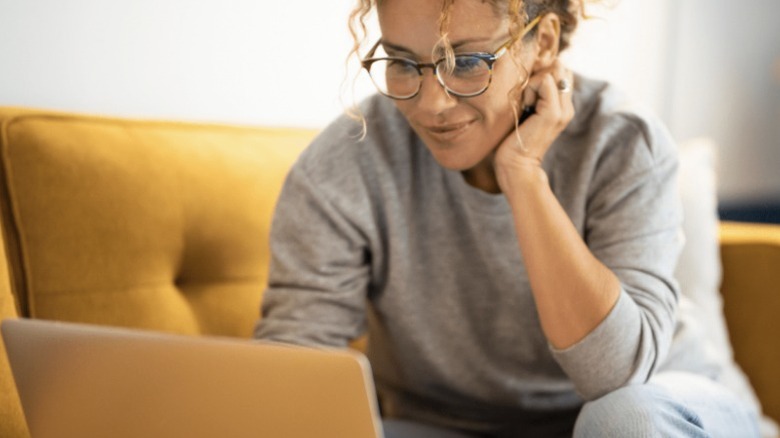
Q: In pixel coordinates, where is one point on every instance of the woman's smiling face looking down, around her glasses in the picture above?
(460, 132)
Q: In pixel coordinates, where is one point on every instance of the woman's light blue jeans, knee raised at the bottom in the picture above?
(672, 404)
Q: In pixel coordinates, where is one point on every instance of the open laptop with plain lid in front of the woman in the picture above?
(87, 381)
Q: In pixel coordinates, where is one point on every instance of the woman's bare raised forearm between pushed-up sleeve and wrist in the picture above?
(573, 290)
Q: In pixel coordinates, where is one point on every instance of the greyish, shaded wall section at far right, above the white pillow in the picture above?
(727, 86)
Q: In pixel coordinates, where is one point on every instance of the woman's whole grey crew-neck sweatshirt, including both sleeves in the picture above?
(375, 235)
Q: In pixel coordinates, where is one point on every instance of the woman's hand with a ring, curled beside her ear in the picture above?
(549, 91)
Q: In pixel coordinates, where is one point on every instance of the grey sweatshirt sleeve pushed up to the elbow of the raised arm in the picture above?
(632, 225)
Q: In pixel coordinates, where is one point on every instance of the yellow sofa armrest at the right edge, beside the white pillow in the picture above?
(750, 254)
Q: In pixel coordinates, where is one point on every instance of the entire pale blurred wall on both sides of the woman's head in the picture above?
(703, 65)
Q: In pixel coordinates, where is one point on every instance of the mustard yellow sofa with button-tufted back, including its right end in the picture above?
(163, 226)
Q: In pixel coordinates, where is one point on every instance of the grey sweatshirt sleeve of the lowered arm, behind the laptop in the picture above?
(318, 272)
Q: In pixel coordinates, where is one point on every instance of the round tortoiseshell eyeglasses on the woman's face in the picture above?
(468, 75)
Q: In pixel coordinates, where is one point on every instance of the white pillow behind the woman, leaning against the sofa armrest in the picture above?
(699, 269)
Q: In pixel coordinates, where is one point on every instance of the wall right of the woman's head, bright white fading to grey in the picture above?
(708, 68)
